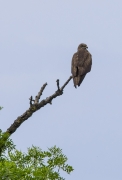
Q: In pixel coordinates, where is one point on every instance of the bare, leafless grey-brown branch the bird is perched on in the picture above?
(36, 105)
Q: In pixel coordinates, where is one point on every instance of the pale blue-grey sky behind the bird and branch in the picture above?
(37, 41)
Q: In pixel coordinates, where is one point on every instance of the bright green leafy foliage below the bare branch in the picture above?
(33, 165)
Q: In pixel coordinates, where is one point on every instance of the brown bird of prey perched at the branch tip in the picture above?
(81, 64)
